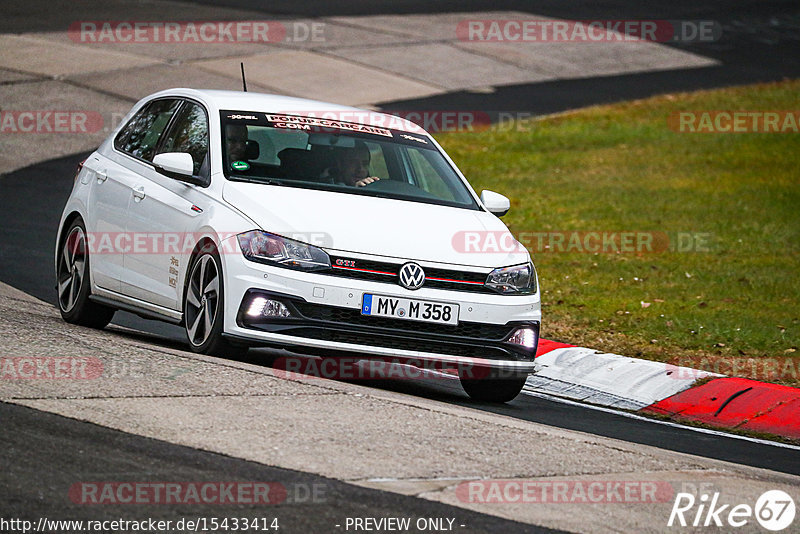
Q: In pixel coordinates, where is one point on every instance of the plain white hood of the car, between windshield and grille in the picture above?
(378, 226)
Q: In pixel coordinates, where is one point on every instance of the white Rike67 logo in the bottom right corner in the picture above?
(774, 510)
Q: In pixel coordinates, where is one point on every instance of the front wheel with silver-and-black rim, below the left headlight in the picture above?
(204, 305)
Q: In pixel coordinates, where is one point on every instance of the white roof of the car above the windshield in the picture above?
(267, 103)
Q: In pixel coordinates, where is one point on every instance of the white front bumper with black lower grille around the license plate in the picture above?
(326, 319)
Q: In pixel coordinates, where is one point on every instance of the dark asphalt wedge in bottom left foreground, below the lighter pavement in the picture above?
(107, 454)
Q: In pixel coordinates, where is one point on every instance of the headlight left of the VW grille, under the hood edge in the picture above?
(273, 249)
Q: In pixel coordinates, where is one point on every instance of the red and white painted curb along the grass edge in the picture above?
(615, 381)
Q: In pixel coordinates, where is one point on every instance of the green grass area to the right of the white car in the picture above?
(621, 168)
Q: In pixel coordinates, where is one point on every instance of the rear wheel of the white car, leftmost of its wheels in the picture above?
(73, 284)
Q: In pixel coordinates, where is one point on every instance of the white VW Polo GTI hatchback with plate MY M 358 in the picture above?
(263, 220)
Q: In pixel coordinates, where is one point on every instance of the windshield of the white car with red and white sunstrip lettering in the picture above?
(346, 157)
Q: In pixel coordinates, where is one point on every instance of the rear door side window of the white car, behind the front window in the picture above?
(140, 136)
